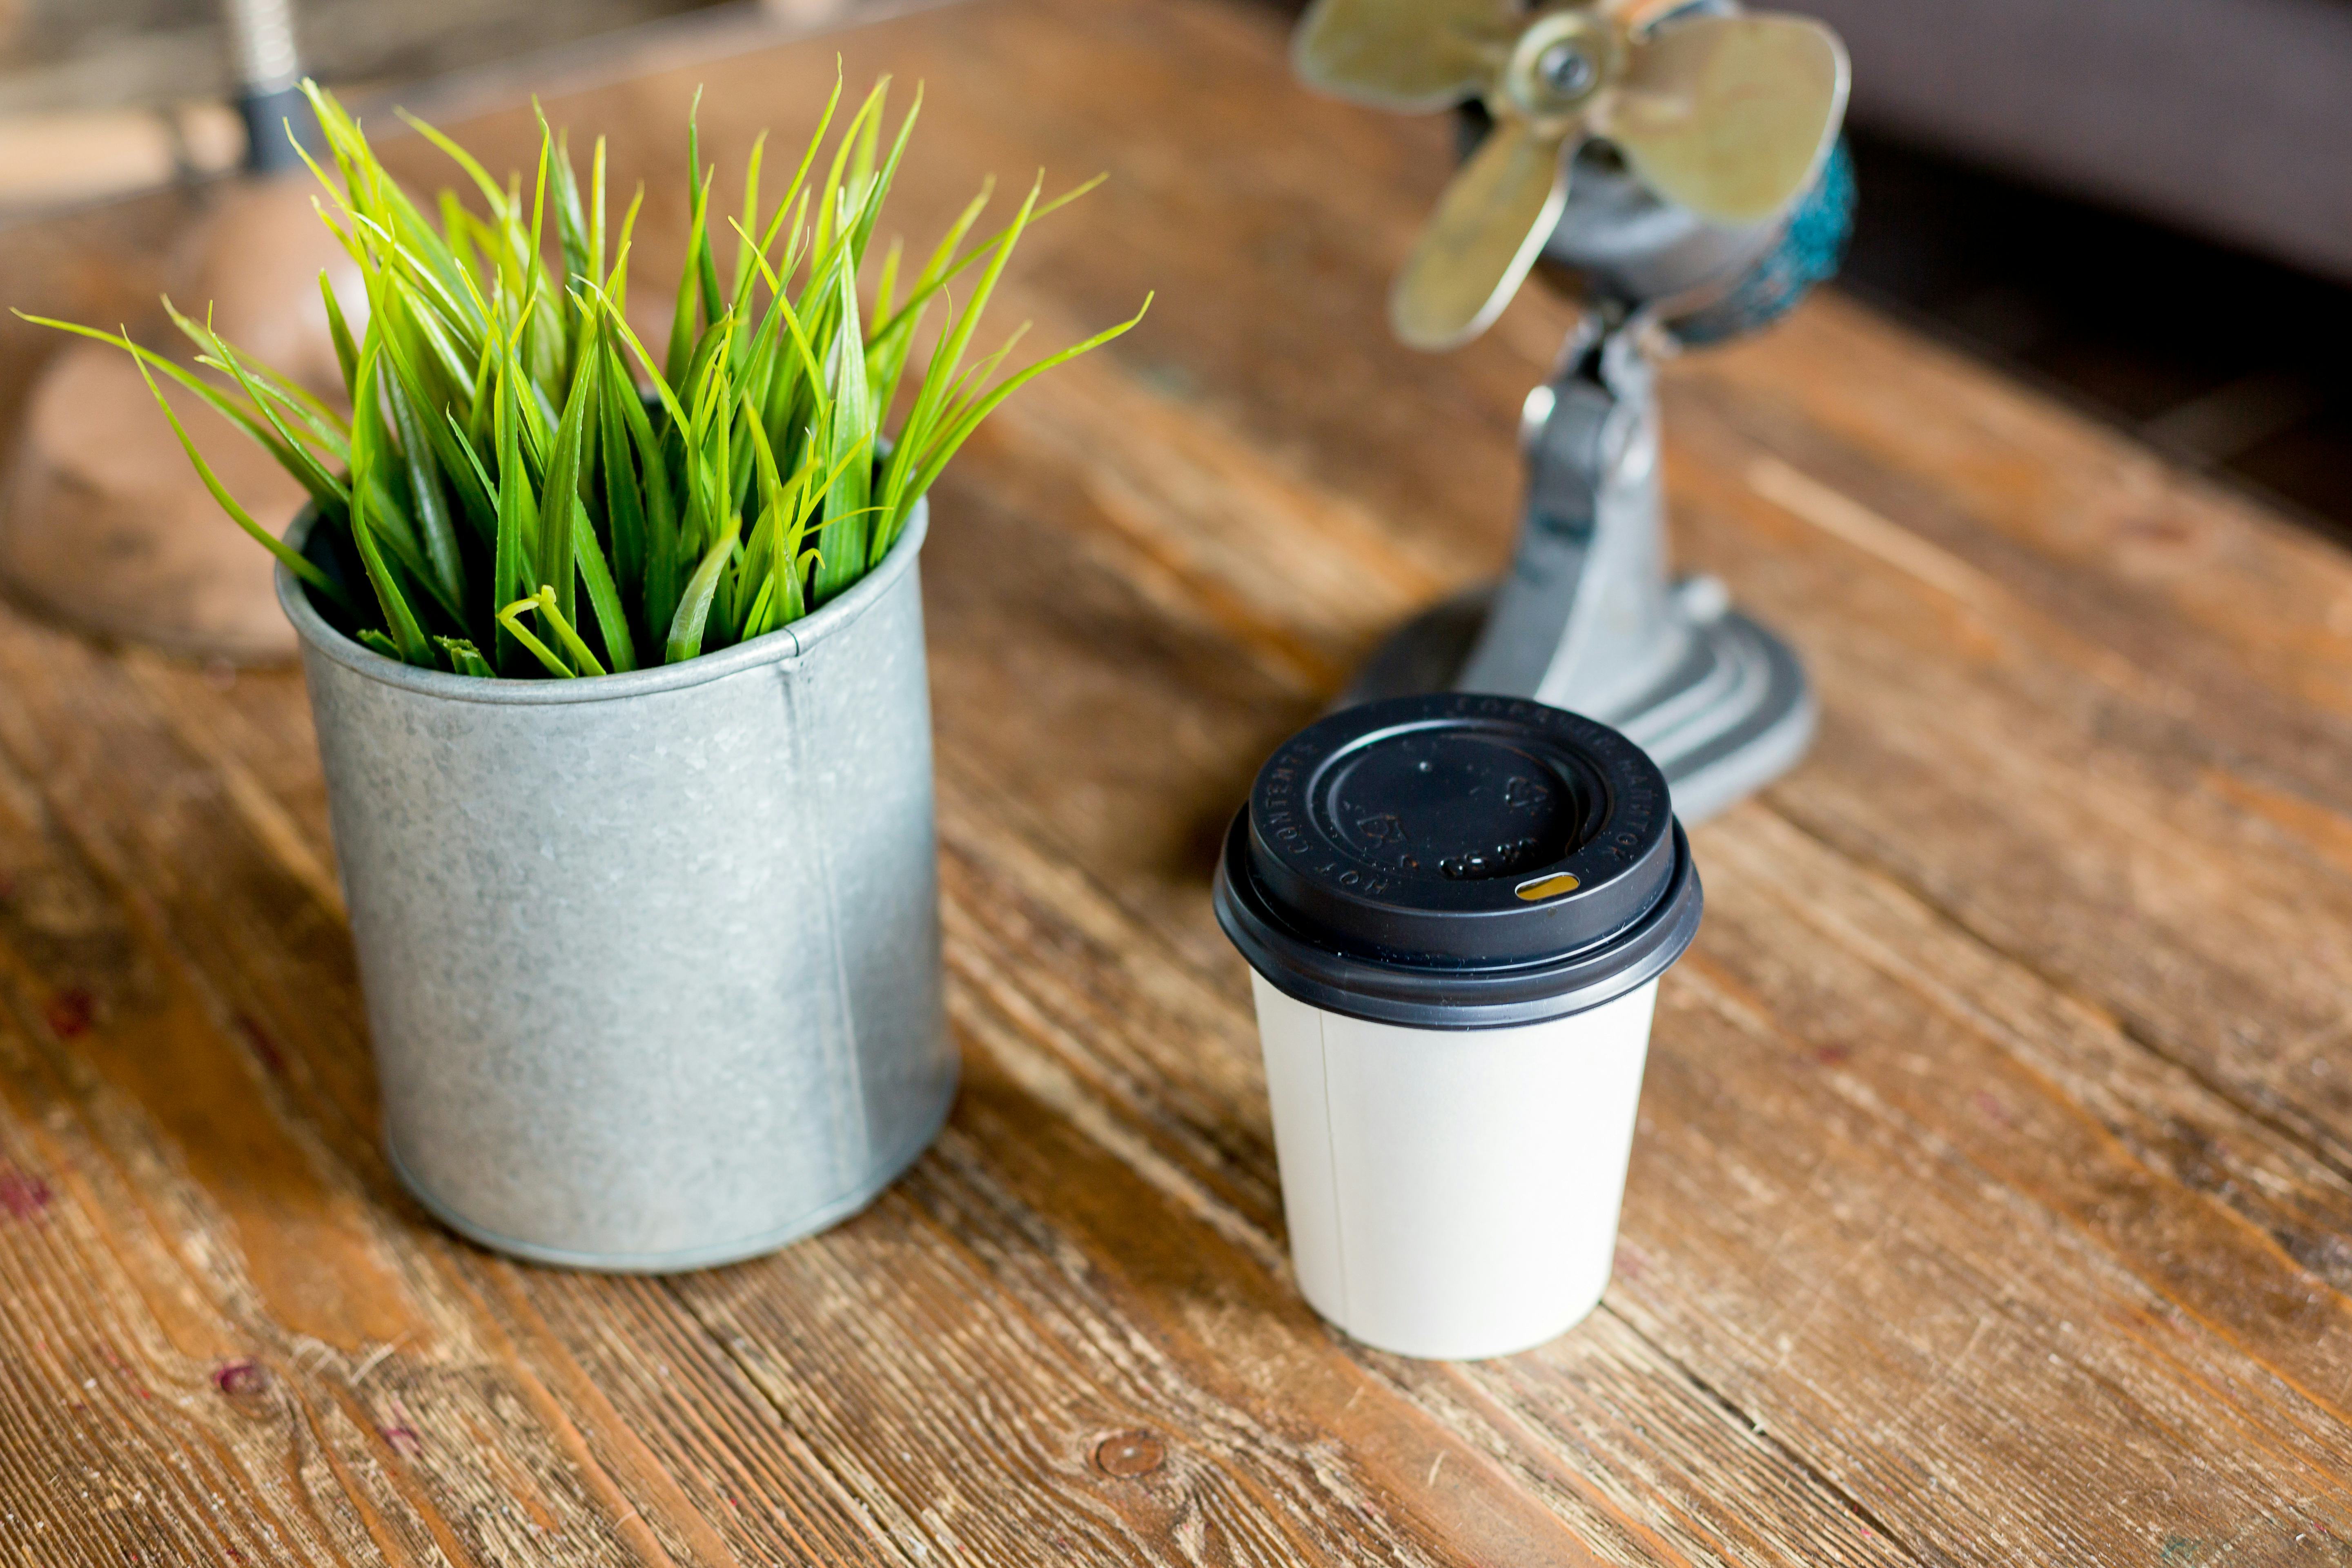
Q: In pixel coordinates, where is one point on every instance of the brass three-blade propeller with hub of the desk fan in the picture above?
(1723, 114)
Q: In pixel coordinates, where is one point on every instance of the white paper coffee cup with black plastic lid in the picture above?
(1457, 911)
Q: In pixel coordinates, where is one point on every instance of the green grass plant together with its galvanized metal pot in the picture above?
(620, 685)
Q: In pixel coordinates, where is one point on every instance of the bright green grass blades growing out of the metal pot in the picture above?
(521, 488)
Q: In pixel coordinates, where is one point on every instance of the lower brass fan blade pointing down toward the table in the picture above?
(1485, 234)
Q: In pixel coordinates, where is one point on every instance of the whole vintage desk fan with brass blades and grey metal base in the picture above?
(1681, 166)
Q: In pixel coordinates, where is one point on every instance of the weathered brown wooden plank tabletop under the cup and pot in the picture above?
(1993, 1191)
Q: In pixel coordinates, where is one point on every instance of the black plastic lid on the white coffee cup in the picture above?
(1459, 862)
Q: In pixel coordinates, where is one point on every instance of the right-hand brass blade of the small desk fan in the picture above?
(1730, 116)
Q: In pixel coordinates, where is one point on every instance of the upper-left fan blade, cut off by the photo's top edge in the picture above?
(1405, 55)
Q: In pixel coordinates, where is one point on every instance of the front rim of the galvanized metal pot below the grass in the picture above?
(784, 643)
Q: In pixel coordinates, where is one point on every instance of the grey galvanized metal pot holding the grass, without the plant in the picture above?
(650, 960)
